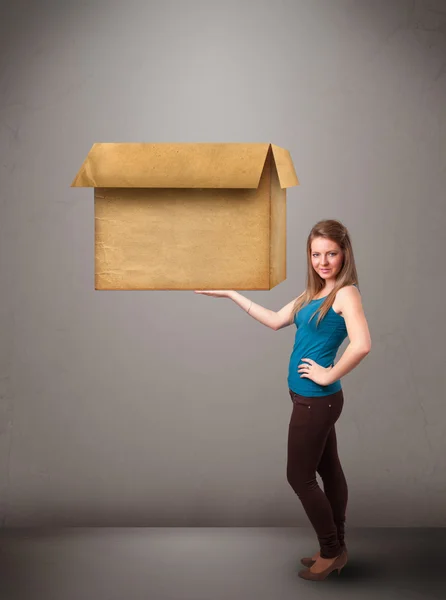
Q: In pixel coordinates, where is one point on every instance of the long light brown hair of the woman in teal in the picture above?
(336, 232)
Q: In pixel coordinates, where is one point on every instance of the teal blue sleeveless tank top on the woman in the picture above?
(320, 344)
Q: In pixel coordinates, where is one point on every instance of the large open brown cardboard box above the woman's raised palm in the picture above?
(188, 216)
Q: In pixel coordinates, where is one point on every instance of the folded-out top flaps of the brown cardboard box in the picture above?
(181, 165)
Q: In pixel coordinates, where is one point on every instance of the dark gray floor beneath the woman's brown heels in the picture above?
(215, 563)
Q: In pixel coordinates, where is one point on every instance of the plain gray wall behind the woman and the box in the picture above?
(170, 408)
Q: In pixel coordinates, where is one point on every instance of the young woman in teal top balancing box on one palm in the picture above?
(328, 311)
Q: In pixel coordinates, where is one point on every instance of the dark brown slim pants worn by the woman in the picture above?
(312, 447)
